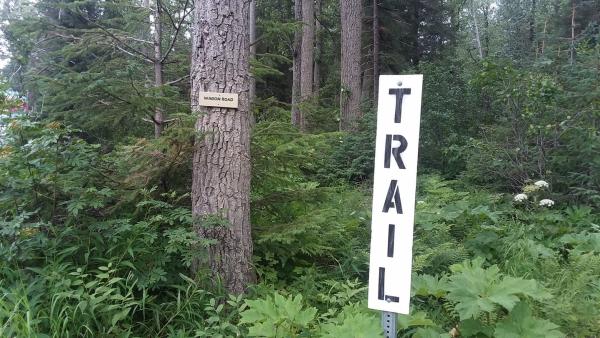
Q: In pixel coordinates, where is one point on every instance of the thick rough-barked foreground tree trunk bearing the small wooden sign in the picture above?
(221, 165)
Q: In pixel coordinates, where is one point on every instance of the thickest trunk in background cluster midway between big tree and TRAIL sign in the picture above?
(307, 56)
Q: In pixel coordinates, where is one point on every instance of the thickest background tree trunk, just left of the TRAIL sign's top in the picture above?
(351, 15)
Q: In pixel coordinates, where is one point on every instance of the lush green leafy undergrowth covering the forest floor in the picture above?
(91, 249)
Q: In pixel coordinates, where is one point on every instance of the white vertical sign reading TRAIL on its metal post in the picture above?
(395, 180)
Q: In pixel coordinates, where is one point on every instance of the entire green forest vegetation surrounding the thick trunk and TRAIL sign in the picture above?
(96, 230)
